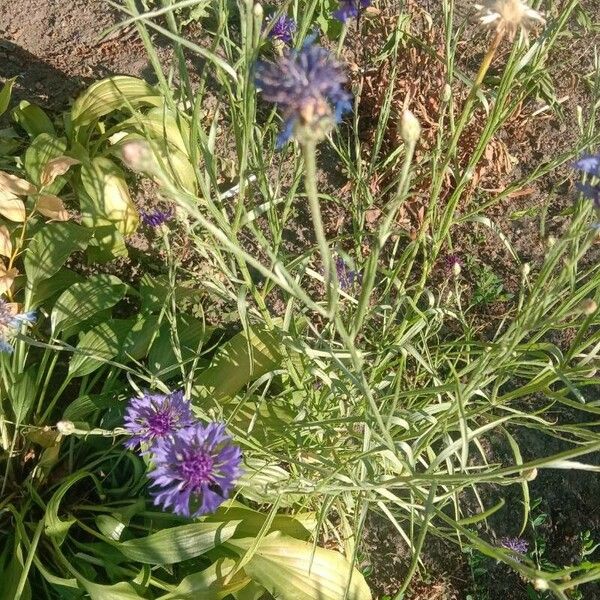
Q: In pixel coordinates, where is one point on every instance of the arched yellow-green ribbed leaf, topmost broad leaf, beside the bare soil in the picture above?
(110, 94)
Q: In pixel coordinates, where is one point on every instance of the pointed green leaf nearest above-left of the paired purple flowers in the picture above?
(97, 346)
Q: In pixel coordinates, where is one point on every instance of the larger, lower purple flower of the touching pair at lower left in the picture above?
(195, 470)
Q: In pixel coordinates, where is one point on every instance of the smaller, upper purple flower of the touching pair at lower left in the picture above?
(156, 416)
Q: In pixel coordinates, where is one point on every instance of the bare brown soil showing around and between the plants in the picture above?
(55, 50)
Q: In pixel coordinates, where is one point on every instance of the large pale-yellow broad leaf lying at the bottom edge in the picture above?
(295, 570)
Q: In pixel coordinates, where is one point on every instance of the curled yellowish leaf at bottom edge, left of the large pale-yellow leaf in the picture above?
(210, 584)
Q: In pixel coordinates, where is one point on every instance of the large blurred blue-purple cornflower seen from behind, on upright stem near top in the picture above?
(308, 86)
